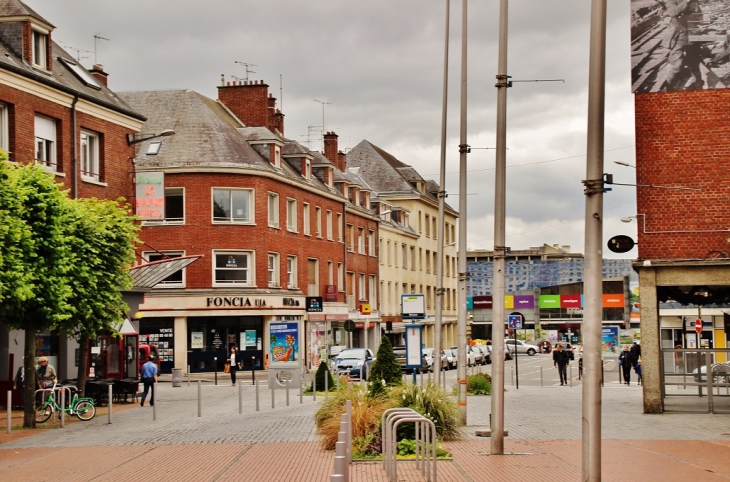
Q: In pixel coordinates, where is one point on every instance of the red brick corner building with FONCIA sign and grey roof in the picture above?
(275, 223)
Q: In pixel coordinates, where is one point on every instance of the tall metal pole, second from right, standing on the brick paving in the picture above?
(497, 425)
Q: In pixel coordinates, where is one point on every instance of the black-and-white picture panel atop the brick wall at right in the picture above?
(679, 45)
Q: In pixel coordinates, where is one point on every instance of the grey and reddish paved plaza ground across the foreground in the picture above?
(544, 425)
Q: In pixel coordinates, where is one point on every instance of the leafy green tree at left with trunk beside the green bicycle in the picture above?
(62, 262)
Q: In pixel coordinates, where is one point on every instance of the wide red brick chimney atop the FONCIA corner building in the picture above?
(249, 101)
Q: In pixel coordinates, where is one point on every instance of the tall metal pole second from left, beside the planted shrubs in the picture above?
(463, 150)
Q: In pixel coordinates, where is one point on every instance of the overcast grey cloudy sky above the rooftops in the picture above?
(379, 66)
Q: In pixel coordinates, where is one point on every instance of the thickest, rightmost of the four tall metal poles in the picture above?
(593, 286)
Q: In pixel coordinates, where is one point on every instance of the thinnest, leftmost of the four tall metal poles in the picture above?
(442, 201)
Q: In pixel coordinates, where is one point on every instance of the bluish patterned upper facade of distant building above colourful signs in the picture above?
(523, 275)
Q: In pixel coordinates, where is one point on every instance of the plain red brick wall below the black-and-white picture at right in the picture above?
(682, 141)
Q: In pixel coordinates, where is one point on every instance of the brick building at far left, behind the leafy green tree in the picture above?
(55, 112)
